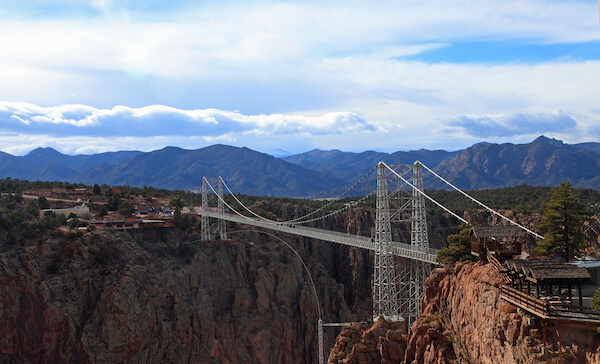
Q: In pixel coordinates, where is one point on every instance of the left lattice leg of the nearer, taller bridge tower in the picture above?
(385, 297)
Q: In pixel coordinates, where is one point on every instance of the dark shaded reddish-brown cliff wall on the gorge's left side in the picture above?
(141, 299)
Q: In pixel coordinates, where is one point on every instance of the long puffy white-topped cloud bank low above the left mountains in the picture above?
(162, 121)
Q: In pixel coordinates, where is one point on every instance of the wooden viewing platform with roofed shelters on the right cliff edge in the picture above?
(542, 287)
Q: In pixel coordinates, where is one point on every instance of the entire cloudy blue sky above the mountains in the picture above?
(104, 75)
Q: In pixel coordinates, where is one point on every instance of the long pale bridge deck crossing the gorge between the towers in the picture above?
(398, 249)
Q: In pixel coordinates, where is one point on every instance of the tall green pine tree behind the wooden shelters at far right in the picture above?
(563, 224)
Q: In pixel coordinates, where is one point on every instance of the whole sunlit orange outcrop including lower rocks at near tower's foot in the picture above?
(464, 320)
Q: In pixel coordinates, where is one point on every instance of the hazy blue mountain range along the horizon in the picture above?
(543, 162)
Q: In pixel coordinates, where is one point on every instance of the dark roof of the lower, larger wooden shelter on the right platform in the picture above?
(544, 269)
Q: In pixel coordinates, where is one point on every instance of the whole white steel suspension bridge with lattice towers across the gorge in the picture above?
(398, 284)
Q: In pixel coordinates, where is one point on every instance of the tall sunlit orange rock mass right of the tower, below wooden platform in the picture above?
(486, 329)
